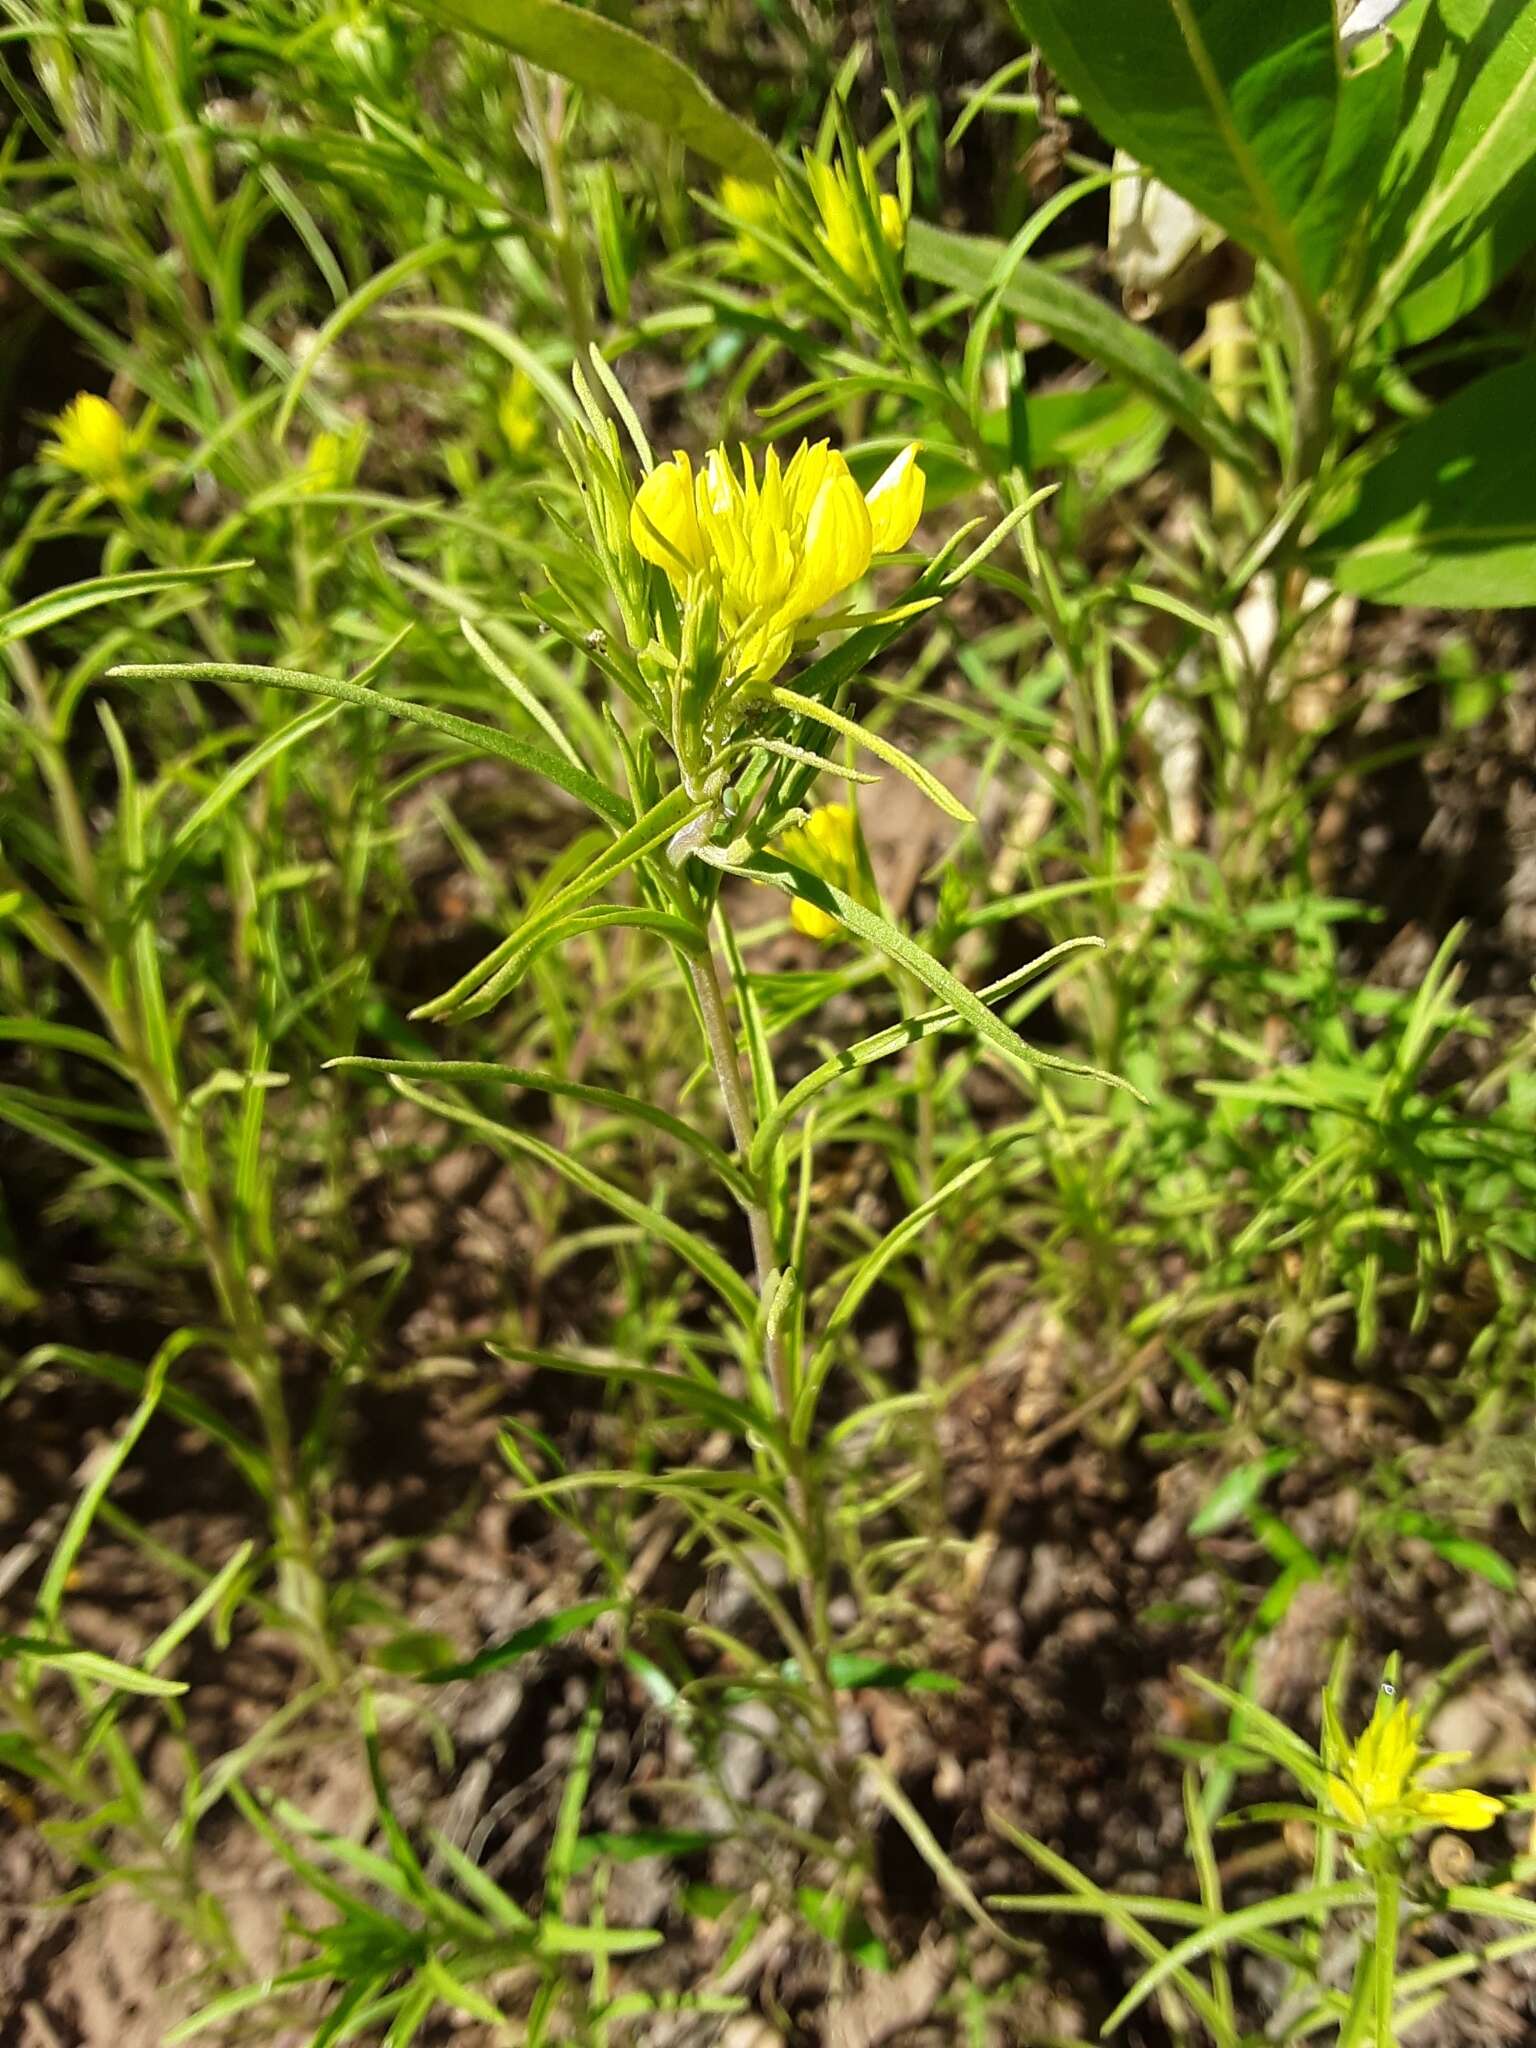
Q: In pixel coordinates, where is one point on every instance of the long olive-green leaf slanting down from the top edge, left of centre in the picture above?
(615, 65)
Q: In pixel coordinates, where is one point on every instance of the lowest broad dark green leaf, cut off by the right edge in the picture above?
(1449, 515)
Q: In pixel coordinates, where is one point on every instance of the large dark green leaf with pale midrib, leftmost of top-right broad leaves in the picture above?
(1228, 103)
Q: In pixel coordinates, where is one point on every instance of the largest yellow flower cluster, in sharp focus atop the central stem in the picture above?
(771, 550)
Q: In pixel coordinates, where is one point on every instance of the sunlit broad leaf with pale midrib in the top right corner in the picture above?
(1469, 136)
